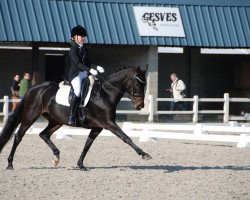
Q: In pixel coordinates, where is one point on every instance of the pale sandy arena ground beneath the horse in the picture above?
(178, 170)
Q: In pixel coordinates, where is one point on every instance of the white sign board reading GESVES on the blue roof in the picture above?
(159, 21)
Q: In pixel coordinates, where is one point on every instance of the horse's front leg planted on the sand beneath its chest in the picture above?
(92, 136)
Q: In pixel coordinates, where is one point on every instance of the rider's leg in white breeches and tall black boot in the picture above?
(76, 84)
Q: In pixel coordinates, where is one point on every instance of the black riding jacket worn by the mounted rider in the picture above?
(79, 60)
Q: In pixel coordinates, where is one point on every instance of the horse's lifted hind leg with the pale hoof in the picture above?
(46, 134)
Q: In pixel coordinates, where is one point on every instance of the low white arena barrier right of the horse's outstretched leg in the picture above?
(228, 133)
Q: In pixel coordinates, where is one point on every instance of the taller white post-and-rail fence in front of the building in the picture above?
(152, 111)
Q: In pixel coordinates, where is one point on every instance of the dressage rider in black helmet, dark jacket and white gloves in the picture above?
(80, 67)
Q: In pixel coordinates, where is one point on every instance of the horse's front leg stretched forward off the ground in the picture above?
(114, 128)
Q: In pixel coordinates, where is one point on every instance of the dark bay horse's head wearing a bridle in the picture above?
(136, 87)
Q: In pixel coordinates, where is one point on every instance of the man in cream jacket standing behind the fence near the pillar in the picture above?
(177, 90)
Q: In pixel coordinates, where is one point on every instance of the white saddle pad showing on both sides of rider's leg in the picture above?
(65, 92)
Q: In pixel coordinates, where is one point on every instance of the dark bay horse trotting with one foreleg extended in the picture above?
(100, 112)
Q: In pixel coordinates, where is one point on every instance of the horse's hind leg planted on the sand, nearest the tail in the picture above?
(25, 125)
